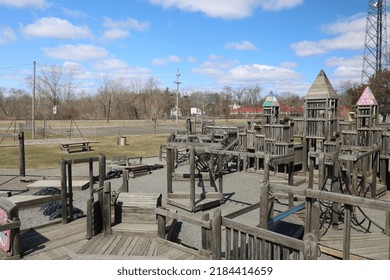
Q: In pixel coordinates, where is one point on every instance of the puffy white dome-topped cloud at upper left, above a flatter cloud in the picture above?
(51, 27)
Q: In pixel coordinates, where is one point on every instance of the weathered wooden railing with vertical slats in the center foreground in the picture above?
(241, 241)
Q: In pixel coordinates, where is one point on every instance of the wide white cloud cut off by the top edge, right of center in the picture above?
(232, 10)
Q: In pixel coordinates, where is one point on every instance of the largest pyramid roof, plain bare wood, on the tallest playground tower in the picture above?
(321, 88)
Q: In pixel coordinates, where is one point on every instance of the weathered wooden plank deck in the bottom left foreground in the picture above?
(68, 241)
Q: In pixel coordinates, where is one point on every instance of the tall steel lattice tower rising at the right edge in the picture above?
(375, 46)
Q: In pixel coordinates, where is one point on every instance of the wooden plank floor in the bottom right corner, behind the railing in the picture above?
(363, 245)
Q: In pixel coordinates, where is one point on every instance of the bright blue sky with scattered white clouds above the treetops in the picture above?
(280, 45)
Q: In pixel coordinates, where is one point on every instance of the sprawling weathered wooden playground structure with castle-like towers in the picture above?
(331, 173)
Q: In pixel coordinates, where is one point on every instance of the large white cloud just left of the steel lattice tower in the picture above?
(349, 35)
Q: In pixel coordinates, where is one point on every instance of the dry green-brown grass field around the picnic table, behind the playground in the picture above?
(48, 154)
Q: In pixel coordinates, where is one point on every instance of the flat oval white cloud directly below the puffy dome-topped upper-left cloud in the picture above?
(75, 52)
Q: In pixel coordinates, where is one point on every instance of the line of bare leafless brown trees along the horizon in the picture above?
(56, 87)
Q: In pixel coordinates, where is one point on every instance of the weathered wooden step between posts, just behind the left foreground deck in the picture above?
(135, 214)
